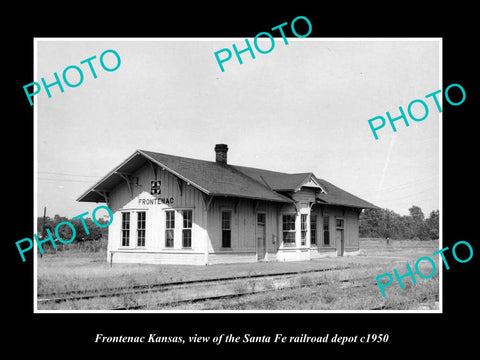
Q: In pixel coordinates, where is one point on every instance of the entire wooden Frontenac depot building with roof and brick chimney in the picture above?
(176, 210)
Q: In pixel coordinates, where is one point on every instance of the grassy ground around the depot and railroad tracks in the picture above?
(352, 289)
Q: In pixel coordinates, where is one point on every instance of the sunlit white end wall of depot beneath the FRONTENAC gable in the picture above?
(186, 198)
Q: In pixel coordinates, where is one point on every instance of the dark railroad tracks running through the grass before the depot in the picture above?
(160, 287)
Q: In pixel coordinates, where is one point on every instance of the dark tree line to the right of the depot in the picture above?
(385, 223)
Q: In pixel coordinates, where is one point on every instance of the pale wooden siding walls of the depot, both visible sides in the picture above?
(206, 225)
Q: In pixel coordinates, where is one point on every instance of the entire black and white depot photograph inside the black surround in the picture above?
(212, 175)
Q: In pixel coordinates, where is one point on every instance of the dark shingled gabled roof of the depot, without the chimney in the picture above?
(217, 179)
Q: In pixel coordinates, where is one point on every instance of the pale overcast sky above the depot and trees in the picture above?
(303, 107)
